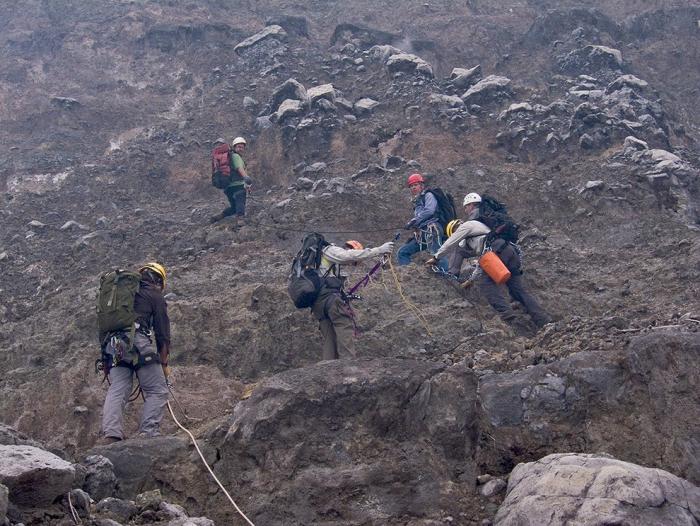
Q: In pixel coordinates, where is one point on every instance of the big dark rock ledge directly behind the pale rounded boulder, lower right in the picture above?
(638, 403)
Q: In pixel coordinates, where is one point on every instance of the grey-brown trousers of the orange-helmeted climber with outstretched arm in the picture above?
(337, 327)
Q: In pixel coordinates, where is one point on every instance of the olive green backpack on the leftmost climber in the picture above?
(115, 302)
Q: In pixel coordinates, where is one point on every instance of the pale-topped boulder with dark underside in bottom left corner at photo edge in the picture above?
(33, 476)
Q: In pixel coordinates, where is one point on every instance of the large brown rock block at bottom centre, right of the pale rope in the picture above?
(391, 437)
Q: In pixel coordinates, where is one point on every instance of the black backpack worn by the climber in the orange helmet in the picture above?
(304, 280)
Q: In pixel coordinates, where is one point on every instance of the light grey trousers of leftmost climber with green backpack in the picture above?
(155, 392)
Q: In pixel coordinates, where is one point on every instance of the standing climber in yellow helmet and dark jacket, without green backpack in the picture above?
(148, 362)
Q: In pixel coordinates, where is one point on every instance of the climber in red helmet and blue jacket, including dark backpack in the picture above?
(433, 210)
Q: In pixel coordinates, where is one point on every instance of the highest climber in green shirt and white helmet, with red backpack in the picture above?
(228, 173)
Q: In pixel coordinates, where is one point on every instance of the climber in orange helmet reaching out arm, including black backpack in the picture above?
(316, 282)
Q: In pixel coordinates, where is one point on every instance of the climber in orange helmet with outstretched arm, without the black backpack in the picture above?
(332, 307)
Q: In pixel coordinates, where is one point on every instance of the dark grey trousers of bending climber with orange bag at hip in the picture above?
(516, 289)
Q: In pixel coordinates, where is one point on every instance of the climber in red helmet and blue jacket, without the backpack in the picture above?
(425, 222)
